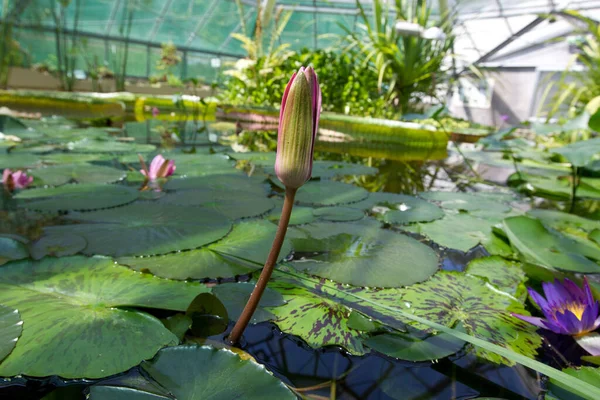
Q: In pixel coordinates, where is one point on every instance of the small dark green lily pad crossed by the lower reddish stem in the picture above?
(235, 296)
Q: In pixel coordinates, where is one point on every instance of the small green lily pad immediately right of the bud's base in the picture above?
(329, 193)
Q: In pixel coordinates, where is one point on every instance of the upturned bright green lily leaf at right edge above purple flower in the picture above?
(537, 245)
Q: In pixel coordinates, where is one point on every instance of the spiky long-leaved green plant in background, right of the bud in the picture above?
(409, 68)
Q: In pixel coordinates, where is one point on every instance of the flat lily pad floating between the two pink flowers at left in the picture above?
(80, 173)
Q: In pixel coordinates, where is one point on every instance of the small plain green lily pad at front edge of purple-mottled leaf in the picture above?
(411, 348)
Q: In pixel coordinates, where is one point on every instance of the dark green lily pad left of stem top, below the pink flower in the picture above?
(233, 204)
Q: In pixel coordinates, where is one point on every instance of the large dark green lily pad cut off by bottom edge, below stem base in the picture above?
(193, 373)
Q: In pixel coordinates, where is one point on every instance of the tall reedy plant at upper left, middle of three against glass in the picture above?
(66, 52)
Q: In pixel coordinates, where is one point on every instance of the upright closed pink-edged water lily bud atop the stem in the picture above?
(298, 124)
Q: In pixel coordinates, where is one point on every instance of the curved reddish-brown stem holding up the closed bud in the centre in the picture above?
(263, 279)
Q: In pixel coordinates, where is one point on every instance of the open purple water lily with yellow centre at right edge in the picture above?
(569, 309)
